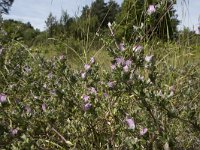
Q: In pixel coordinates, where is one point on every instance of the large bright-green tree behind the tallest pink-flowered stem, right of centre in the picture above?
(162, 23)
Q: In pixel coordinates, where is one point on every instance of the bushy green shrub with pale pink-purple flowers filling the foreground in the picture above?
(47, 105)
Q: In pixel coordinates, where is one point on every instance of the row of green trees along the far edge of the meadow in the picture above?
(93, 20)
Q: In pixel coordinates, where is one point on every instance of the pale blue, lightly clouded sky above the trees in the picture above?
(37, 11)
